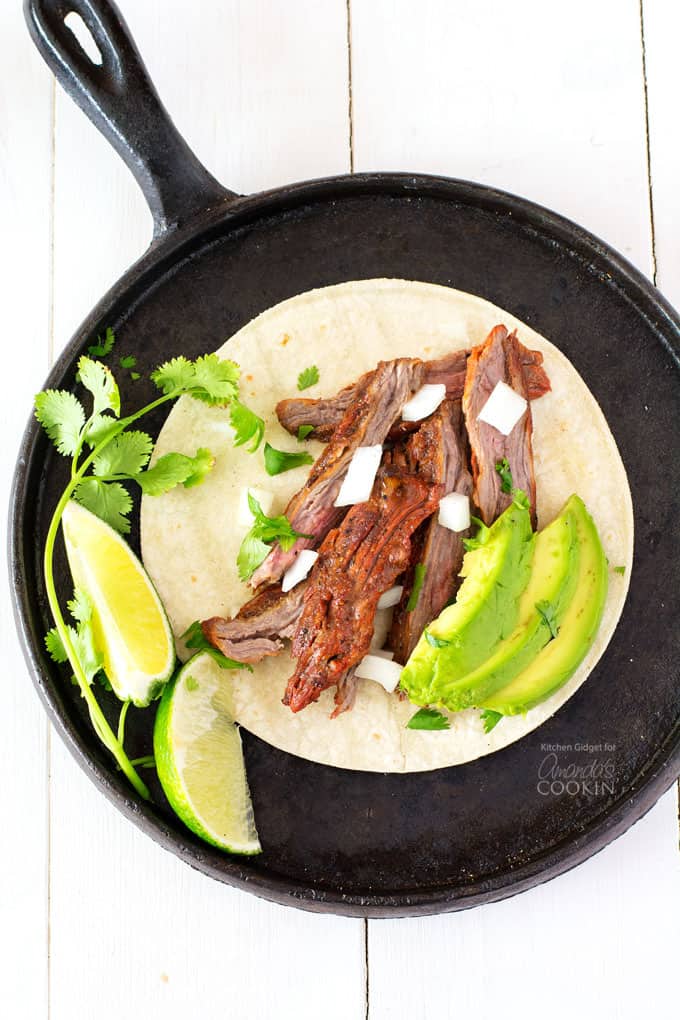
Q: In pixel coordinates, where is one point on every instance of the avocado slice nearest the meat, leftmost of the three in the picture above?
(486, 611)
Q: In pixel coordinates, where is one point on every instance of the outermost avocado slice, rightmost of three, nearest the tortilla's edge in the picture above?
(559, 660)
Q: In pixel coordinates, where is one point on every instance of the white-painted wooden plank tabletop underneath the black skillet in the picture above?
(574, 106)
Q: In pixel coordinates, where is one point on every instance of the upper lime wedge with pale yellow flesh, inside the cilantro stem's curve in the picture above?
(129, 621)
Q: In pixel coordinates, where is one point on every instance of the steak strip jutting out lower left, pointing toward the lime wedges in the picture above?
(259, 627)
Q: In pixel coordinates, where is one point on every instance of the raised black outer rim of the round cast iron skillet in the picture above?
(615, 271)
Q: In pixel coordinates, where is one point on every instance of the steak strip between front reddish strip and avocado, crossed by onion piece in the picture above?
(438, 453)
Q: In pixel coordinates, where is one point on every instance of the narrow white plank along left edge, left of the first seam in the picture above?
(26, 143)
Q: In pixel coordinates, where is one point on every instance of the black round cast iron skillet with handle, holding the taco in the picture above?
(338, 841)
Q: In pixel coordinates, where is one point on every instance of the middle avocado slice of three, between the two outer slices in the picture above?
(542, 608)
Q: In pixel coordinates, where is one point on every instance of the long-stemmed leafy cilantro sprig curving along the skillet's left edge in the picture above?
(107, 455)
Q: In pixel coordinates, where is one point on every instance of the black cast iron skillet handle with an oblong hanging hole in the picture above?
(122, 101)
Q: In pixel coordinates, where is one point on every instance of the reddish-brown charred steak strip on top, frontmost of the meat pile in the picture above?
(358, 562)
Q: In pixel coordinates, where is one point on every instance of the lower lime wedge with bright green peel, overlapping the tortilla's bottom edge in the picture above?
(200, 759)
